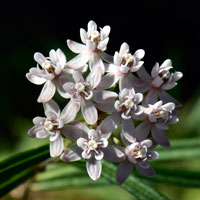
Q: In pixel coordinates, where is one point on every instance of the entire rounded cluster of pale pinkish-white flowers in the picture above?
(142, 96)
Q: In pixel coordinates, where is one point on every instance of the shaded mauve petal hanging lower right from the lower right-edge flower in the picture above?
(160, 137)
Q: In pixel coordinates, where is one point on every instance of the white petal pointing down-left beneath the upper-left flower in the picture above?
(47, 92)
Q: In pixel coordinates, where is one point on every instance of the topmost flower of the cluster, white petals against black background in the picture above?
(92, 50)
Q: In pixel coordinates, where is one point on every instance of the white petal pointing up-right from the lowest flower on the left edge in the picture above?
(69, 112)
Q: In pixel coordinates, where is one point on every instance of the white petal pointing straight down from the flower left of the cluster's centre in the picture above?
(89, 112)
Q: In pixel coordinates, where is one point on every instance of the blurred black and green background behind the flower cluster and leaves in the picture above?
(163, 29)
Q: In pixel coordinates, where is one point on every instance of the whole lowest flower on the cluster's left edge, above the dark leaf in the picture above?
(52, 125)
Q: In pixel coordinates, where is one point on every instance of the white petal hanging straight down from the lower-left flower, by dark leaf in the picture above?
(56, 147)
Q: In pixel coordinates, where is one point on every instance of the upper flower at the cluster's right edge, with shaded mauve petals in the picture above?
(160, 80)
